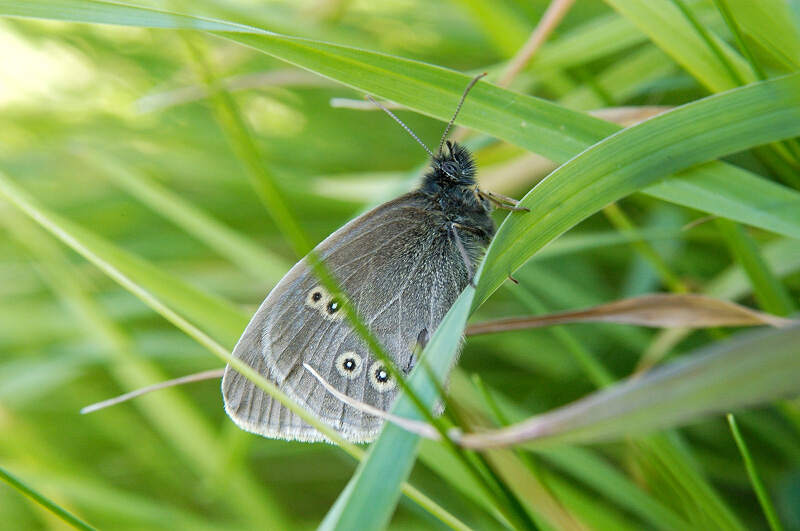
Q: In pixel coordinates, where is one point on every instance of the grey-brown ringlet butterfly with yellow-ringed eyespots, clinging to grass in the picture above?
(402, 265)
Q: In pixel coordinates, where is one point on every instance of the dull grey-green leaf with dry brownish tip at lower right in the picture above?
(749, 370)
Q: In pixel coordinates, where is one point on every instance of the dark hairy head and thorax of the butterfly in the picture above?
(451, 187)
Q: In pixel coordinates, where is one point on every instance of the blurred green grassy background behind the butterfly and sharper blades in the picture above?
(110, 128)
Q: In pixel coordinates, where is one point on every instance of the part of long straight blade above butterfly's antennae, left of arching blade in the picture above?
(555, 132)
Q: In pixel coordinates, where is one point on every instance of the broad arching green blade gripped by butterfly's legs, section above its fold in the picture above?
(637, 157)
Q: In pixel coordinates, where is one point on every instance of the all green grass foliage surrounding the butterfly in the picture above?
(179, 154)
